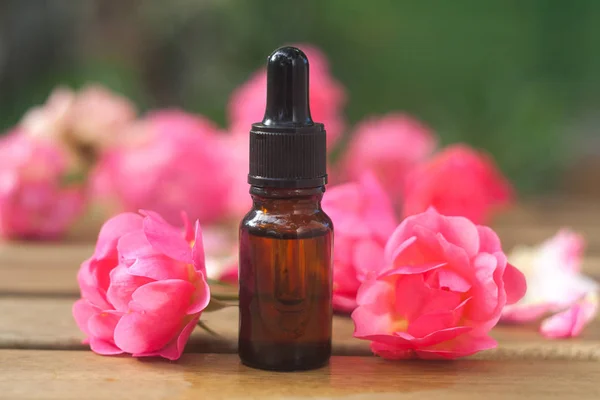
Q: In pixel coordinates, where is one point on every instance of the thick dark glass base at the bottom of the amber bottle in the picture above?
(284, 357)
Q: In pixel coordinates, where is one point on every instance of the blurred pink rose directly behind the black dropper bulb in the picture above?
(327, 98)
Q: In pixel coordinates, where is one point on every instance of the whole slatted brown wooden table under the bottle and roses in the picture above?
(41, 355)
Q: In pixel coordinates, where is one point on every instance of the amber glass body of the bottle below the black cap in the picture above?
(285, 280)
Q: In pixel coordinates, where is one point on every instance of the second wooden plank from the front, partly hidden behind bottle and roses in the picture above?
(34, 323)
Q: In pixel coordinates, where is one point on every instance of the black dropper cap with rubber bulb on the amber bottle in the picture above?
(287, 149)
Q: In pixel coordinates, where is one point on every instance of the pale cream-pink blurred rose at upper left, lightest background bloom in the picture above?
(93, 116)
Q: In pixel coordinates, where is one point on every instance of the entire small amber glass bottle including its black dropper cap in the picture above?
(286, 239)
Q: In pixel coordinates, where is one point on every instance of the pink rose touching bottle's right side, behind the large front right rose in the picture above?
(363, 218)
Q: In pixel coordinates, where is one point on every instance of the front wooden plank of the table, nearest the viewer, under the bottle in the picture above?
(63, 375)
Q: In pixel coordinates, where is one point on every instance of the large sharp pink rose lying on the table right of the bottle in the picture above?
(445, 284)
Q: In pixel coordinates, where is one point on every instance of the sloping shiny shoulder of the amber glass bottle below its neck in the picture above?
(315, 223)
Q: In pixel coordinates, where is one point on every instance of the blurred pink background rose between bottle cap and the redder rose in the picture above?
(389, 146)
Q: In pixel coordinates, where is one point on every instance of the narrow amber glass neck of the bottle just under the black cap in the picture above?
(287, 200)
